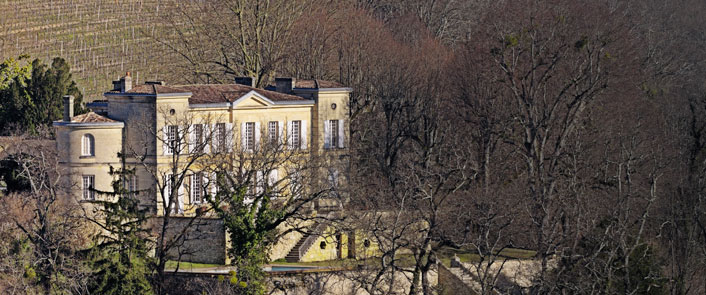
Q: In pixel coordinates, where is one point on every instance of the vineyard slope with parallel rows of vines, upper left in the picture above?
(101, 39)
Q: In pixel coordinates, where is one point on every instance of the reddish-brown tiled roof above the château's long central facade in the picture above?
(211, 93)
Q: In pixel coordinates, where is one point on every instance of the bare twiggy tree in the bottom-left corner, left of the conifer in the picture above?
(46, 219)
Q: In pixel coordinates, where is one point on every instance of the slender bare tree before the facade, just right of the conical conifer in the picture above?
(189, 152)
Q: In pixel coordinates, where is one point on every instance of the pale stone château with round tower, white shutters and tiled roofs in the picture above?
(152, 122)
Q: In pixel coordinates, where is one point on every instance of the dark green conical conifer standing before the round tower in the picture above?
(120, 258)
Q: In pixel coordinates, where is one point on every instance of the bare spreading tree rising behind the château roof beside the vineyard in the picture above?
(227, 38)
